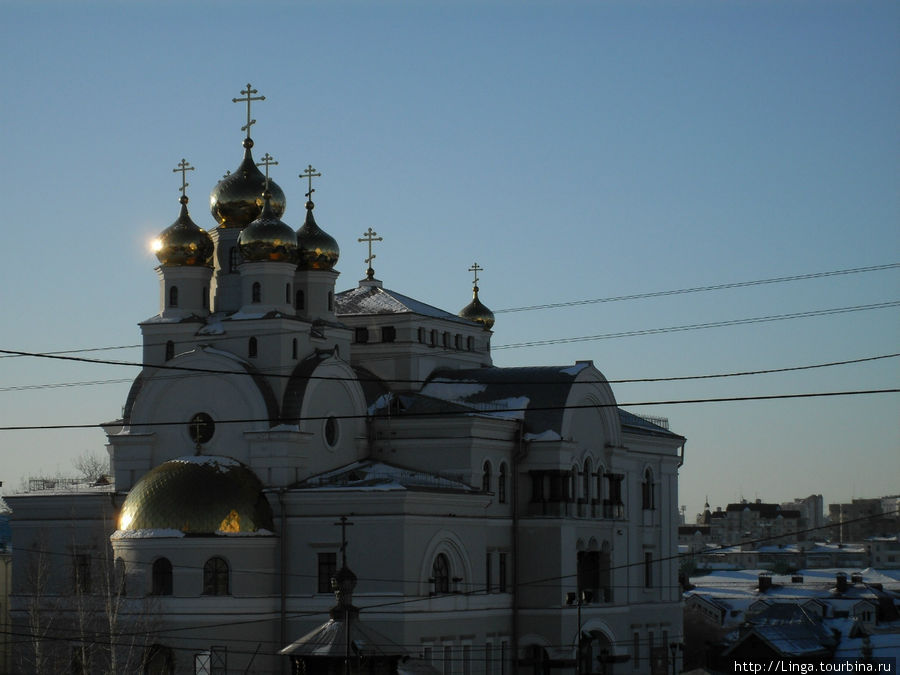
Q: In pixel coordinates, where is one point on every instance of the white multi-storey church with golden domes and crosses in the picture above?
(497, 520)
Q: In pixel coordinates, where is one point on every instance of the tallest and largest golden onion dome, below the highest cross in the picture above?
(235, 201)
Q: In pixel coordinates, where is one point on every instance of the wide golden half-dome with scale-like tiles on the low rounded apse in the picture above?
(197, 495)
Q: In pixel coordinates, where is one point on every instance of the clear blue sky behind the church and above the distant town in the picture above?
(576, 150)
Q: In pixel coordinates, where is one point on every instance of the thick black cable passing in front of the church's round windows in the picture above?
(475, 411)
